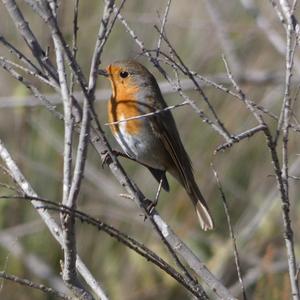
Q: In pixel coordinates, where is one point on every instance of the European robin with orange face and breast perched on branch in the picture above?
(152, 140)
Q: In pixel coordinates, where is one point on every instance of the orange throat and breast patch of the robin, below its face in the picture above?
(123, 105)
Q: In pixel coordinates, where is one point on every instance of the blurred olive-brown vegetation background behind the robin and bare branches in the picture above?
(251, 36)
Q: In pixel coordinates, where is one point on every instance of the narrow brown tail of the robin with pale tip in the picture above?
(201, 207)
